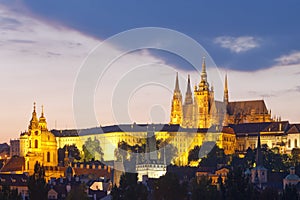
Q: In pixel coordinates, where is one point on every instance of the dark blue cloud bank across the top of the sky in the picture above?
(268, 24)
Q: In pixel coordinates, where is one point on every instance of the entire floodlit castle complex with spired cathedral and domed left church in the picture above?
(199, 119)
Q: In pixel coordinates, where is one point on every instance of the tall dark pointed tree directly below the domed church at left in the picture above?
(37, 184)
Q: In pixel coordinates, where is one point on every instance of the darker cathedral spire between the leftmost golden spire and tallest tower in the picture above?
(188, 106)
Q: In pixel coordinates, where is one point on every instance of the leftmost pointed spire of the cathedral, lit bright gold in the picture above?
(176, 109)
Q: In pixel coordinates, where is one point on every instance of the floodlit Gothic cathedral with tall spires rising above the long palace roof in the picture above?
(203, 111)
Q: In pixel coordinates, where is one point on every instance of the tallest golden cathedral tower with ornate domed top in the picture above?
(202, 101)
